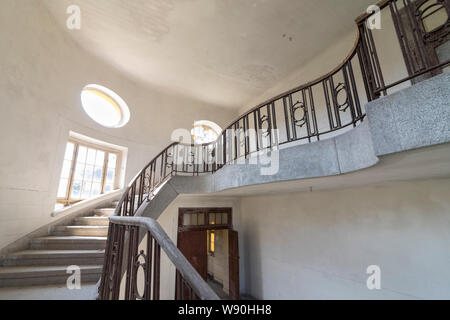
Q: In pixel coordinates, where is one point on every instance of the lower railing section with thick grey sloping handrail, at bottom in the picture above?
(135, 244)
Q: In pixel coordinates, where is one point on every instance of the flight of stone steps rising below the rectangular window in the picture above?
(45, 262)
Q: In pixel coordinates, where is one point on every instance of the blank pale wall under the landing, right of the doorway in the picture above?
(318, 245)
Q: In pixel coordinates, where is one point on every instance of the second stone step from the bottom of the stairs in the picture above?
(54, 257)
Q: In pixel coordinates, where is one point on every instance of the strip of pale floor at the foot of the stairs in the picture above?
(53, 292)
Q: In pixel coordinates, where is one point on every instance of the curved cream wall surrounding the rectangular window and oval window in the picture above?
(43, 72)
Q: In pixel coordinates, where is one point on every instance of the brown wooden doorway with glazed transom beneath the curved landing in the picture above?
(207, 239)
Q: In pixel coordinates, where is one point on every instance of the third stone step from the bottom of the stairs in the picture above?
(68, 243)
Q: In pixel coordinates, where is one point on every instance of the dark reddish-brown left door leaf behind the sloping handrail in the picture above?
(194, 247)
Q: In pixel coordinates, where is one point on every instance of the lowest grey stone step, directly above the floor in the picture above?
(44, 275)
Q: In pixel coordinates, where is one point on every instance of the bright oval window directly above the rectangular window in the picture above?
(104, 106)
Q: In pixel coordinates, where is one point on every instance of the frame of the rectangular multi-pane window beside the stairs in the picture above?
(67, 200)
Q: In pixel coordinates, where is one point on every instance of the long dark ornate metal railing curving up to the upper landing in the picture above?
(337, 97)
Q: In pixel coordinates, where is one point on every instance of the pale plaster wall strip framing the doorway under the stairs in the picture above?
(169, 222)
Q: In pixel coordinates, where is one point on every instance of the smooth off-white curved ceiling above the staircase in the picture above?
(223, 52)
